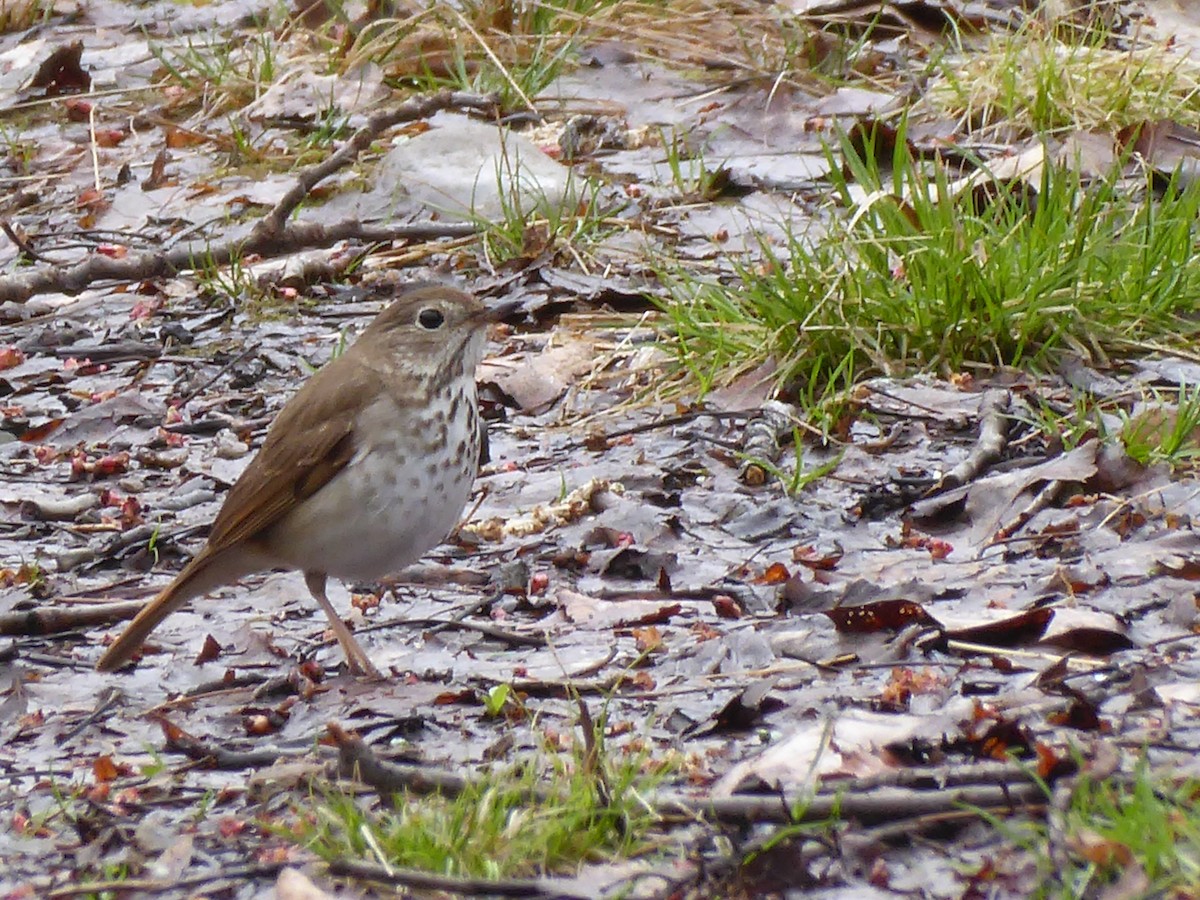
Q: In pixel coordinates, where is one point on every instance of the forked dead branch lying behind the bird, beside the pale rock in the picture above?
(273, 236)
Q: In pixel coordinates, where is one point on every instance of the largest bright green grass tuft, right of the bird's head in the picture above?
(923, 274)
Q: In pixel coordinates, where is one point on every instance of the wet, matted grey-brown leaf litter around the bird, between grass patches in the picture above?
(879, 627)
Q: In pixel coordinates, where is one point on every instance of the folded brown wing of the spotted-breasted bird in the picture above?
(310, 442)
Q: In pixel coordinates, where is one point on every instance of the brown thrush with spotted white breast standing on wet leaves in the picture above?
(367, 469)
